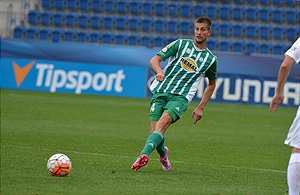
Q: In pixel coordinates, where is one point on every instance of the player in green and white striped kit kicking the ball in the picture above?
(175, 86)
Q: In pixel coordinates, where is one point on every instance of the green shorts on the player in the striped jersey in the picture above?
(175, 105)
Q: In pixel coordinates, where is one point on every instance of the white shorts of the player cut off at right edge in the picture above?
(293, 137)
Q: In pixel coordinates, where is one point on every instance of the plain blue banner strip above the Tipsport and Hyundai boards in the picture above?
(134, 56)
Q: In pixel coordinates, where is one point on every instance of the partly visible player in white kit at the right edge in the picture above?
(292, 56)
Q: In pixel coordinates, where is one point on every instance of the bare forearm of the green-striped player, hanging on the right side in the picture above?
(198, 112)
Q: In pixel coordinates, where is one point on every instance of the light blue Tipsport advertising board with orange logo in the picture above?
(71, 77)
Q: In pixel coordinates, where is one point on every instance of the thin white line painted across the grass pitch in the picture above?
(123, 156)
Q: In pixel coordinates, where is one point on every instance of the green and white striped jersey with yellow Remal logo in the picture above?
(186, 66)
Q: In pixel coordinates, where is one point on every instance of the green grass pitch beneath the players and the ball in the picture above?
(234, 149)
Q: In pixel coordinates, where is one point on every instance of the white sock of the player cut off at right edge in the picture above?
(293, 174)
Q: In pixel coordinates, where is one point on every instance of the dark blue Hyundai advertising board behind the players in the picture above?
(246, 88)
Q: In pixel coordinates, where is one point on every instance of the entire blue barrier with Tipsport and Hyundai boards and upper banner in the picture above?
(125, 71)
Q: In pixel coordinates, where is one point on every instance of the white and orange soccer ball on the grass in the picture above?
(59, 165)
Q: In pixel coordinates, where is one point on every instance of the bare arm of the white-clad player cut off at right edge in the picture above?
(283, 74)
